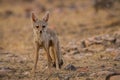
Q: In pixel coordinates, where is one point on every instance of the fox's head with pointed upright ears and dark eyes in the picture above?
(40, 25)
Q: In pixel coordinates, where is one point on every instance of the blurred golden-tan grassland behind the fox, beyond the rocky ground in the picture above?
(72, 20)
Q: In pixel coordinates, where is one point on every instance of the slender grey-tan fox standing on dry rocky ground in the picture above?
(45, 38)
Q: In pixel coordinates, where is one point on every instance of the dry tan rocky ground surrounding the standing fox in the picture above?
(89, 40)
